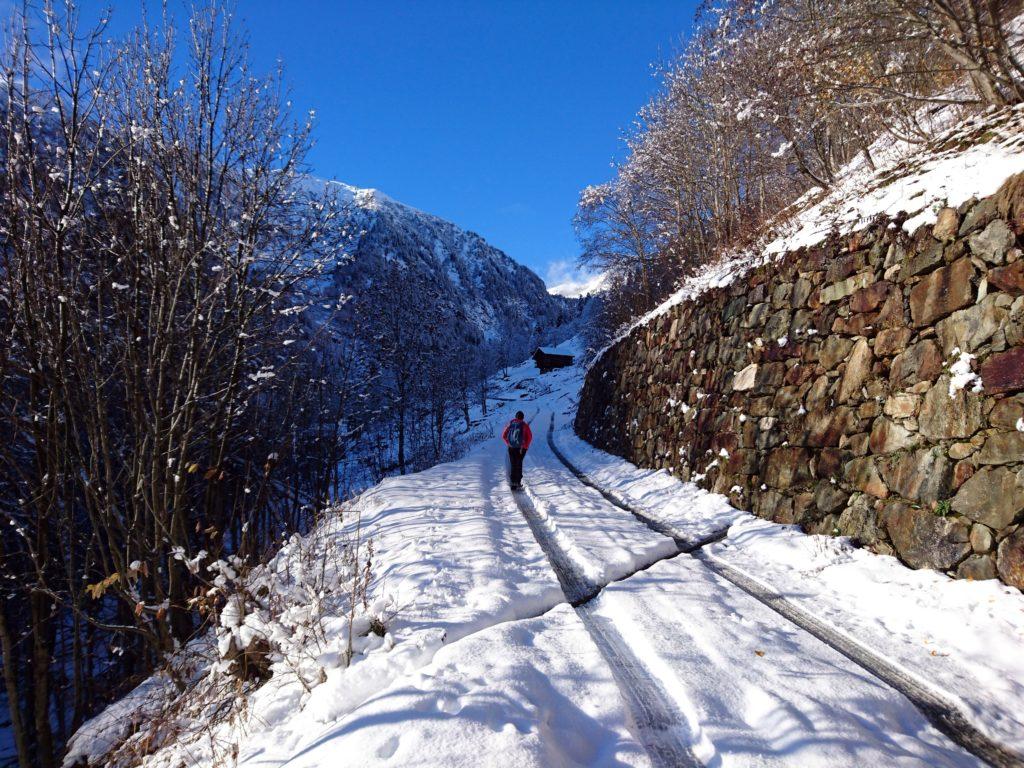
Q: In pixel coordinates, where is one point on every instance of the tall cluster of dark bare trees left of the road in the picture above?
(156, 234)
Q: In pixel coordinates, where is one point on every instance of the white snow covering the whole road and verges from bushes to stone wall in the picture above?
(483, 663)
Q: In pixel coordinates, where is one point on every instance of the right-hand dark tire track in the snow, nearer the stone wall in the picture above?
(944, 714)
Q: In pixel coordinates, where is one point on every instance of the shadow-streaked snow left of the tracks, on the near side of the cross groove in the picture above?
(528, 694)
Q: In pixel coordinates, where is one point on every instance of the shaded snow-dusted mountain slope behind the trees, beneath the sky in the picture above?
(492, 296)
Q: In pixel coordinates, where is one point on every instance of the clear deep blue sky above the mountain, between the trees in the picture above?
(493, 115)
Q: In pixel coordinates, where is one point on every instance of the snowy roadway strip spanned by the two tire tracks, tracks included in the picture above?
(715, 675)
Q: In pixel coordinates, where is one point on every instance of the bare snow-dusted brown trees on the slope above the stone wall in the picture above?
(769, 100)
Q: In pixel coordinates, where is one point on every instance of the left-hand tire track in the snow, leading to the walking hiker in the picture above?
(660, 727)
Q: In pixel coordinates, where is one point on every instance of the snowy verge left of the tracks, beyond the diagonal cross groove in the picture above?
(451, 558)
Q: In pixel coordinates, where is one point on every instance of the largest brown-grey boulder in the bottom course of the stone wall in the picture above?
(924, 540)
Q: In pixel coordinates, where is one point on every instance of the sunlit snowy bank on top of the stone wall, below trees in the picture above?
(973, 160)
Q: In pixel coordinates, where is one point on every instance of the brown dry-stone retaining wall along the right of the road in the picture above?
(872, 388)
